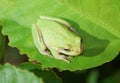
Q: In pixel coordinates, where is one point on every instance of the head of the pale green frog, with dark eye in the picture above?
(73, 48)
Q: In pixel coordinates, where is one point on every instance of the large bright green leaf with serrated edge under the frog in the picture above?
(97, 22)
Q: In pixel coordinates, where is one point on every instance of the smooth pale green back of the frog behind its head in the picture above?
(54, 30)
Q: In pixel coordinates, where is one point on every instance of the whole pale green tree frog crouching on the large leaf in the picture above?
(54, 37)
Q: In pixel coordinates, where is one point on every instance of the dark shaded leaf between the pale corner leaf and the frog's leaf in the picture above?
(47, 76)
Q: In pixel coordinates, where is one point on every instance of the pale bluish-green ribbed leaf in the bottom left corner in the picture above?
(10, 74)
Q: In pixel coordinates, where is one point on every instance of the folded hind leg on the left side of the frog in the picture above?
(38, 40)
